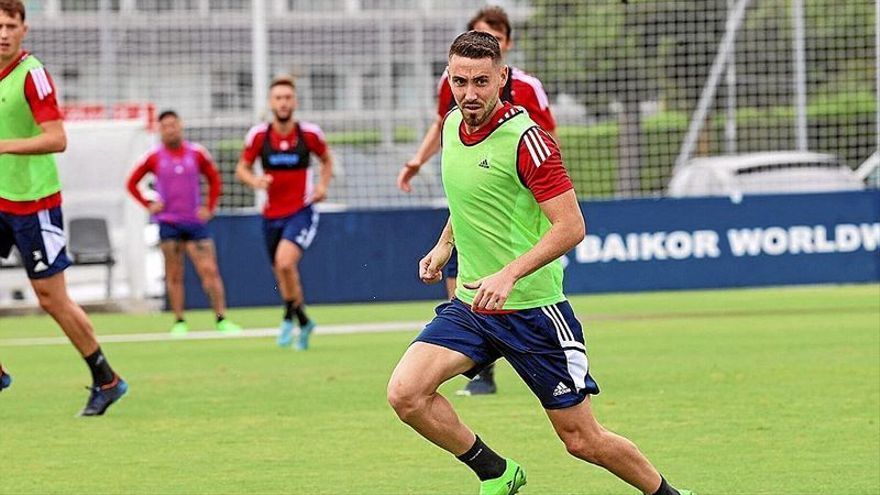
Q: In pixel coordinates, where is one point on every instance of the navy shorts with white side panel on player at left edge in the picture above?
(40, 240)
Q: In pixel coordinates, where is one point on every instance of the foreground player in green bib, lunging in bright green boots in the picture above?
(512, 214)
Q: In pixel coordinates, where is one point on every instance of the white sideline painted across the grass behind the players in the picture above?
(215, 335)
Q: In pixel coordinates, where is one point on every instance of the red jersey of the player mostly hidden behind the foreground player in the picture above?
(525, 90)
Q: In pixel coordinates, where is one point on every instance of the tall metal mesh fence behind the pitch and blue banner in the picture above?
(636, 88)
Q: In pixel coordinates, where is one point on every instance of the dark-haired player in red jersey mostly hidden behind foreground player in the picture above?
(522, 90)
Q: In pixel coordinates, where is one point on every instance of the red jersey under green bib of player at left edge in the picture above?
(40, 93)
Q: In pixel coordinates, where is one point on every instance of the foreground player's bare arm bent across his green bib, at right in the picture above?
(566, 231)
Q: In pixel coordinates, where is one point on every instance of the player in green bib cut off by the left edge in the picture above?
(31, 130)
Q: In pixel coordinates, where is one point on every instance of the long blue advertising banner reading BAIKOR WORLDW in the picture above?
(631, 245)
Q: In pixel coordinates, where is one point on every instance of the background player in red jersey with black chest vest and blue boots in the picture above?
(290, 222)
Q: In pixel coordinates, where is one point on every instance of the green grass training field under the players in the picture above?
(771, 391)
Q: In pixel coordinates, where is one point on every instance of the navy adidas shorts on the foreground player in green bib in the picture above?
(544, 345)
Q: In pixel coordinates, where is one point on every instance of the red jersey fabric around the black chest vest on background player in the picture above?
(290, 190)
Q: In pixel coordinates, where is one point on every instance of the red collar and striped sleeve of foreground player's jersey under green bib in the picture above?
(539, 161)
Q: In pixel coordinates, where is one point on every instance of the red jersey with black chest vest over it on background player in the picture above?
(285, 159)
